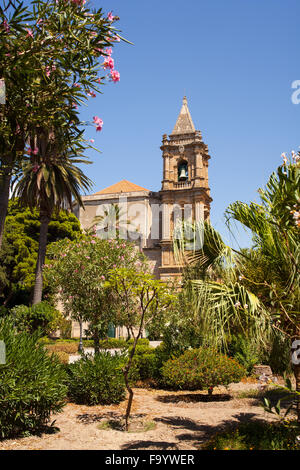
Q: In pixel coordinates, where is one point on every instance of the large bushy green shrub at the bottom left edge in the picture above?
(31, 383)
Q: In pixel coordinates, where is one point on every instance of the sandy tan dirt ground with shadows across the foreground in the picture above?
(176, 421)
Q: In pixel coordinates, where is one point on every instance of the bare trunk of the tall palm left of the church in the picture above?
(38, 286)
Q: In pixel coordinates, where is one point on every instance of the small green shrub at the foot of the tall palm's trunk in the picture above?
(41, 316)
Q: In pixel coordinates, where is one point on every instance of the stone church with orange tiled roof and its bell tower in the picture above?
(148, 218)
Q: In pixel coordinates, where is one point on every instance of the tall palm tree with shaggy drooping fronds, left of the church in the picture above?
(50, 181)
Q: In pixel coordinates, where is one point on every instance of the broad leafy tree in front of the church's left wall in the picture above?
(77, 274)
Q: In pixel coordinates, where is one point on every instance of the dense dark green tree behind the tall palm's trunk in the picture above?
(20, 246)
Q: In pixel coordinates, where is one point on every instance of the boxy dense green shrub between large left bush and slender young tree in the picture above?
(96, 380)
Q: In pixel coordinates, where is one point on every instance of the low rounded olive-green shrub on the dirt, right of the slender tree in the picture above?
(200, 369)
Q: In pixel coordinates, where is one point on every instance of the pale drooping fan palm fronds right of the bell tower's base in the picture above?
(222, 304)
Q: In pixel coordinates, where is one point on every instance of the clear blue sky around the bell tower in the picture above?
(235, 61)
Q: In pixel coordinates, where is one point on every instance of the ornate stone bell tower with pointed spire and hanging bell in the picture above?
(185, 191)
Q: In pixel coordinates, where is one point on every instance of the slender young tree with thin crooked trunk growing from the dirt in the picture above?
(142, 300)
